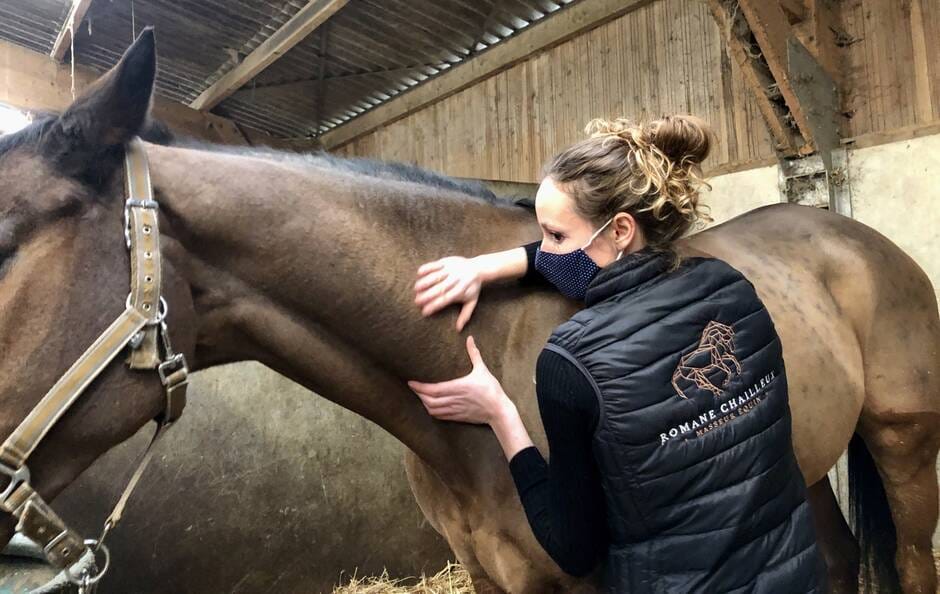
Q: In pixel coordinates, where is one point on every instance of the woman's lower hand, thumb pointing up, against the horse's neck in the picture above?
(475, 398)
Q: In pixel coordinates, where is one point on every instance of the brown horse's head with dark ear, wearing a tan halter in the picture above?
(64, 280)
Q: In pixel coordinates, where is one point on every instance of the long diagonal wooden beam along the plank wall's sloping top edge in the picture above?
(548, 32)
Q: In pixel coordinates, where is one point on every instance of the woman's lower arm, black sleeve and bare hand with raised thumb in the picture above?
(563, 500)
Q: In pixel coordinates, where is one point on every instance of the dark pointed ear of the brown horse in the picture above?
(111, 112)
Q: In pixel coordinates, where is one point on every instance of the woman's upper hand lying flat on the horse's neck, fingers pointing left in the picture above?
(446, 281)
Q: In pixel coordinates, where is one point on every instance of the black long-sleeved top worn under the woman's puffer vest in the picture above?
(563, 498)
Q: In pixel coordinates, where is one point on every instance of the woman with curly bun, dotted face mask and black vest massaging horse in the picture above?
(664, 401)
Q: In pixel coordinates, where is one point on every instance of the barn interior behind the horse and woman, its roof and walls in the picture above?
(833, 104)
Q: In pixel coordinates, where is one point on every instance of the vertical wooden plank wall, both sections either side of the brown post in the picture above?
(667, 57)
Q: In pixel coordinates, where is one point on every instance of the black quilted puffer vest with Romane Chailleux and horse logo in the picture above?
(703, 490)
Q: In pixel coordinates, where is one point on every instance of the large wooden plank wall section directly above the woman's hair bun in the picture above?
(667, 57)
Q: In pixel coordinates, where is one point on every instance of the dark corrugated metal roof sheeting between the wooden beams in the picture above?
(370, 51)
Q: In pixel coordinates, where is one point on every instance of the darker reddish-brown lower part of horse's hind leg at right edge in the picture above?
(904, 448)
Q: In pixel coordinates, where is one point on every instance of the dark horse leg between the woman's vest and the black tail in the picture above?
(836, 541)
